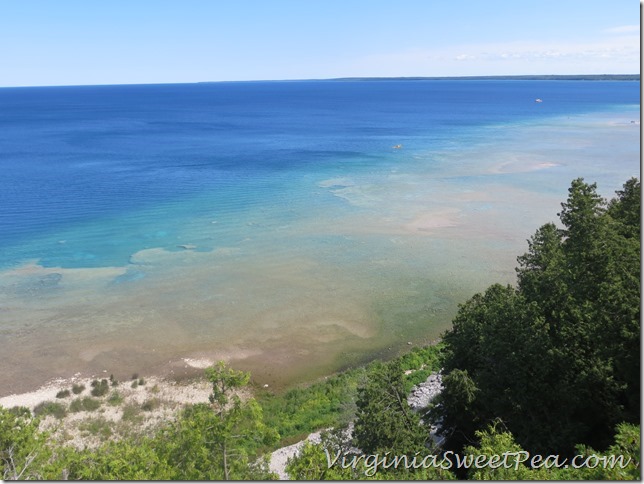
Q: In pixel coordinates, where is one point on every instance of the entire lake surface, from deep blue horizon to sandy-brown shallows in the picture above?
(274, 224)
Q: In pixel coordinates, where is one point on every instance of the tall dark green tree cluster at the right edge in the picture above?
(557, 358)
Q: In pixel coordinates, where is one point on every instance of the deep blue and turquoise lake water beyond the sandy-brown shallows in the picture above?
(76, 155)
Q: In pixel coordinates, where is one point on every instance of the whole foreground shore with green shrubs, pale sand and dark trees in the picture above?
(547, 368)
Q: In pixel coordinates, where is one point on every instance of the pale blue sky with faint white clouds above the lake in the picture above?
(73, 42)
